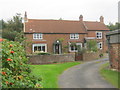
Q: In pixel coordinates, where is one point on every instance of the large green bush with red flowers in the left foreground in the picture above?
(15, 70)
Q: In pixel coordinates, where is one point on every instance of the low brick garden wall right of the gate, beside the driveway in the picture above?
(91, 56)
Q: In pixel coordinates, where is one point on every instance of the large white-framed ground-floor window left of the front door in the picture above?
(40, 47)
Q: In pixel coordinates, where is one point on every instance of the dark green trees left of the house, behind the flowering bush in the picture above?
(12, 27)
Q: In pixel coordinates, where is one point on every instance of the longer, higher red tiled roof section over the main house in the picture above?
(54, 26)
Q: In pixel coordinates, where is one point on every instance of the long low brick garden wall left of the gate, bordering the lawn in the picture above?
(45, 59)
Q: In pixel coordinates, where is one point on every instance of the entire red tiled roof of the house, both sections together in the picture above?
(62, 26)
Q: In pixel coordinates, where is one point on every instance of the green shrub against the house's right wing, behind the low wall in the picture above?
(92, 46)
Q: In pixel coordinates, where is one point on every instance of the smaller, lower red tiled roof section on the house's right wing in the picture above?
(95, 25)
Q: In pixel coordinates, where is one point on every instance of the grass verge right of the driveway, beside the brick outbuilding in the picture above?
(110, 75)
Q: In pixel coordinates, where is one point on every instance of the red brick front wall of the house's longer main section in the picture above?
(49, 39)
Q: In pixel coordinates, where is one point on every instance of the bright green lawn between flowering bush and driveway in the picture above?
(50, 73)
